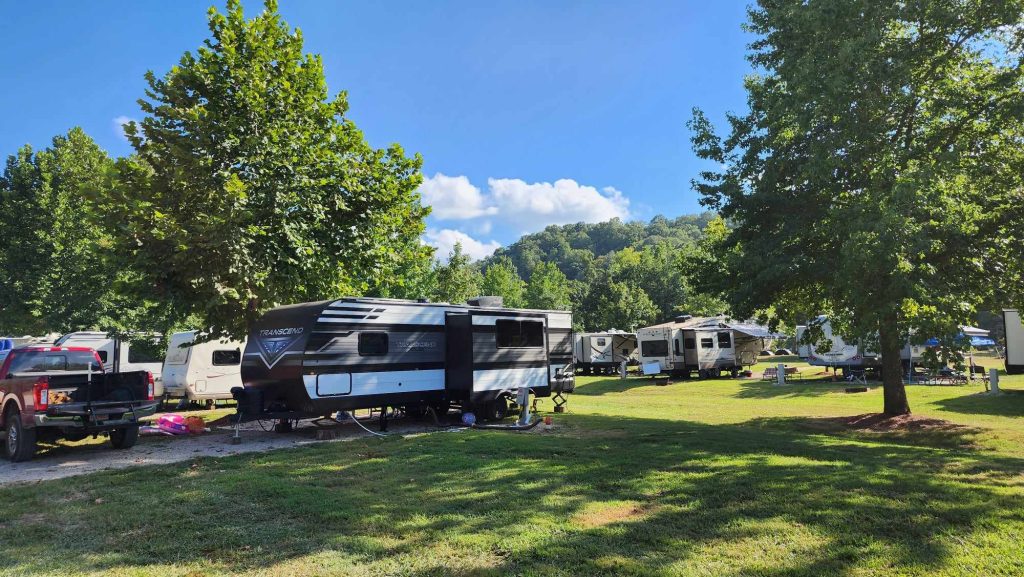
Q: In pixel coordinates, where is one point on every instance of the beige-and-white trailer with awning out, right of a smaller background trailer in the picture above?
(709, 347)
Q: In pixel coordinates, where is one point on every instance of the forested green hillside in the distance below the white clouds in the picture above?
(618, 275)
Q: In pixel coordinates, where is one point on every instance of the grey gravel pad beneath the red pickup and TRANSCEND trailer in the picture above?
(65, 461)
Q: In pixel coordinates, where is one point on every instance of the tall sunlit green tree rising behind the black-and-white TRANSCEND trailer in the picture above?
(250, 188)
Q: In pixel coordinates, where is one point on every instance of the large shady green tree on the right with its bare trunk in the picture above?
(867, 179)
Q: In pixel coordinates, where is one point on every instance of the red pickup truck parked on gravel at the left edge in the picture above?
(50, 393)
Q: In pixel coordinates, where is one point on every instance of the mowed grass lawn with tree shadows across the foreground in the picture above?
(715, 478)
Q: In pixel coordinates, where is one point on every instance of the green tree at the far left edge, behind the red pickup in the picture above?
(58, 270)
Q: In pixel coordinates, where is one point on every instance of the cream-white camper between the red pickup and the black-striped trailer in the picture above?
(206, 372)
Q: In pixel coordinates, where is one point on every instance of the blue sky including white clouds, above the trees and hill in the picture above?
(527, 113)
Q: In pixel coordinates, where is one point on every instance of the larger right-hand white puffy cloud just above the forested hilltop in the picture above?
(539, 204)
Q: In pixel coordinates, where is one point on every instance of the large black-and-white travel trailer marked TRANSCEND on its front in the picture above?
(318, 358)
